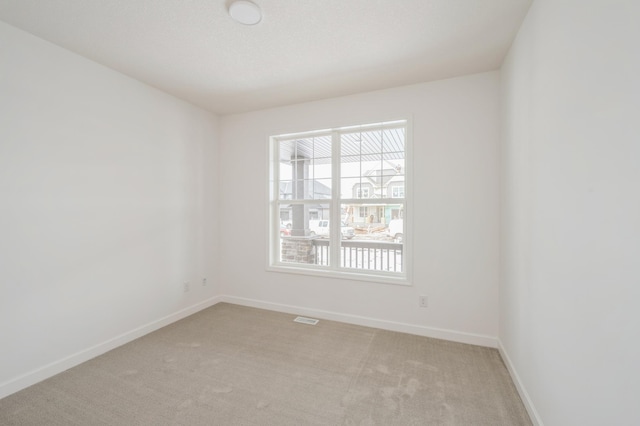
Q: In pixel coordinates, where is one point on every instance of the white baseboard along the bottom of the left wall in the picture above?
(42, 373)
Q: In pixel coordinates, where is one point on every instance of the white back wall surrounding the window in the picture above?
(456, 132)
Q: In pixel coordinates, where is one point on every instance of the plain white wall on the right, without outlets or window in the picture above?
(570, 284)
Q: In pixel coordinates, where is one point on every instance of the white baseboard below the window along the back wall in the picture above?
(455, 336)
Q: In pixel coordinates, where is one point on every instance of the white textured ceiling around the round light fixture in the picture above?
(302, 50)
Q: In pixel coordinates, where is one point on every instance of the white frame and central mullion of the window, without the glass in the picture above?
(335, 270)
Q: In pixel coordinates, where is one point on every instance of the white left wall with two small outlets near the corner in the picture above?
(107, 204)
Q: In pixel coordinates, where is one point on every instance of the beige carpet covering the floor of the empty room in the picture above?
(232, 365)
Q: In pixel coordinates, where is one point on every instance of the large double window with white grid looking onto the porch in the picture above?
(353, 177)
